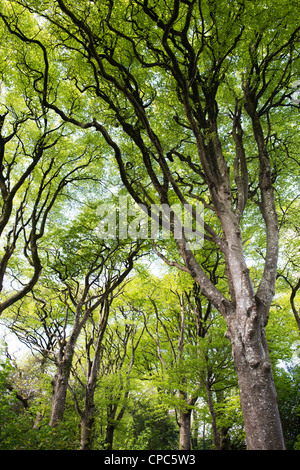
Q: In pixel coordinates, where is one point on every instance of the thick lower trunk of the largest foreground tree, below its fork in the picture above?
(256, 384)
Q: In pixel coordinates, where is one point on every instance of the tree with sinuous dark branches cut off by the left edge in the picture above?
(37, 165)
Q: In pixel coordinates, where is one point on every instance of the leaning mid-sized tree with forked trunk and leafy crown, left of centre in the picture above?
(83, 272)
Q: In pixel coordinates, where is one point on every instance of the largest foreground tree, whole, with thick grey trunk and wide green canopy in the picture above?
(188, 96)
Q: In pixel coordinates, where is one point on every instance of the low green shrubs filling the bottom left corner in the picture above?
(17, 430)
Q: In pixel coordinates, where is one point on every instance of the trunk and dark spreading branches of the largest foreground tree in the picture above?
(197, 94)
